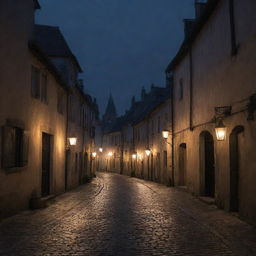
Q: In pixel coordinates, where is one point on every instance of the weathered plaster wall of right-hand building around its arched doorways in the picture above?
(220, 79)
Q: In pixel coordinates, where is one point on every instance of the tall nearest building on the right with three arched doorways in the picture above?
(214, 91)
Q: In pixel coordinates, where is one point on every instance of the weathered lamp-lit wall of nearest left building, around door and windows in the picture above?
(19, 108)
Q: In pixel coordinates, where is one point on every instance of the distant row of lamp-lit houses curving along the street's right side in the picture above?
(129, 137)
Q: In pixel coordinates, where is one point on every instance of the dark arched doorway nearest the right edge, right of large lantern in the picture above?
(234, 167)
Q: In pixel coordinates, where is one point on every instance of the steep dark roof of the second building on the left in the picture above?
(52, 42)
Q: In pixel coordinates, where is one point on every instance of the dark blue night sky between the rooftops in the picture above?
(121, 45)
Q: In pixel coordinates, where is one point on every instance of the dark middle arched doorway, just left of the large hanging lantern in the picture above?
(207, 164)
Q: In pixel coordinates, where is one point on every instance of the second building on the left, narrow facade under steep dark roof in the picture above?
(82, 111)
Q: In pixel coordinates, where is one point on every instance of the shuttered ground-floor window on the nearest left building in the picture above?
(15, 147)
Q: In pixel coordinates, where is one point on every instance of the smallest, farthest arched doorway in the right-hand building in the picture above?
(182, 164)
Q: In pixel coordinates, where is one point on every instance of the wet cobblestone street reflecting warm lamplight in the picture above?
(118, 215)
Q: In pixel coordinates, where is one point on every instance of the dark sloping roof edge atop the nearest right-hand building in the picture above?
(189, 40)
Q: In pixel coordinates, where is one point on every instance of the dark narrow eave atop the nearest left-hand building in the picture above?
(40, 55)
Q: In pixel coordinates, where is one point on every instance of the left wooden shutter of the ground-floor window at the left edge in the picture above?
(9, 143)
